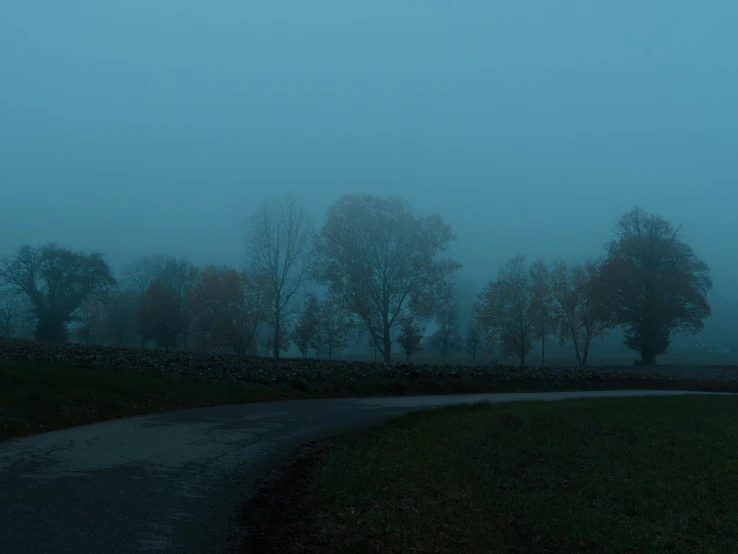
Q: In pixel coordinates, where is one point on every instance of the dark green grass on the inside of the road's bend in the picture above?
(640, 475)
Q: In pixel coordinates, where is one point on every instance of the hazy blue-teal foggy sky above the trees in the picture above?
(134, 127)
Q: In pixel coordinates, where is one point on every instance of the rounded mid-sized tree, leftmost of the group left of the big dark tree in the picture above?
(503, 309)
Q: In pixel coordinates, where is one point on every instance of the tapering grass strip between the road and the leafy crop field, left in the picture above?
(38, 397)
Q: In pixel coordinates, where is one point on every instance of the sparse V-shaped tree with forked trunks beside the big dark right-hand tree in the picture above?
(577, 314)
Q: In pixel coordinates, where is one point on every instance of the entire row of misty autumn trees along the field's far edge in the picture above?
(373, 271)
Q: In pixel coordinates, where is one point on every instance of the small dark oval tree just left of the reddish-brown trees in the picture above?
(157, 314)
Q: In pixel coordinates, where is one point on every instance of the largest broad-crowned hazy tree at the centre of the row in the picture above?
(383, 263)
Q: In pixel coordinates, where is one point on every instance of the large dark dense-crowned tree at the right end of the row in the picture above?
(652, 284)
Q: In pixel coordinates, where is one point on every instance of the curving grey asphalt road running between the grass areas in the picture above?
(170, 482)
